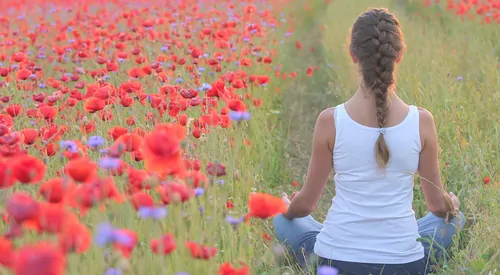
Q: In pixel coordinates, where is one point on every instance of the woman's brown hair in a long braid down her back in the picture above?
(377, 42)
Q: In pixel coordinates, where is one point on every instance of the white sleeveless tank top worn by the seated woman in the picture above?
(371, 219)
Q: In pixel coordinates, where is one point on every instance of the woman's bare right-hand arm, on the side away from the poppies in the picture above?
(438, 201)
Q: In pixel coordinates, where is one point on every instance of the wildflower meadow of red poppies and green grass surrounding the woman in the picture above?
(157, 136)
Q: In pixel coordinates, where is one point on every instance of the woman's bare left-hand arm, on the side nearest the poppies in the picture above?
(320, 166)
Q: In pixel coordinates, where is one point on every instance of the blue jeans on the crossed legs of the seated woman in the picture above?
(299, 236)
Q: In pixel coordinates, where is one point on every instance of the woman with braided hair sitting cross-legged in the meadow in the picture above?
(376, 143)
